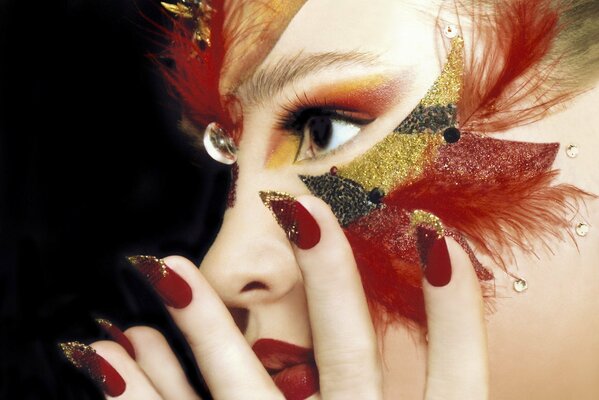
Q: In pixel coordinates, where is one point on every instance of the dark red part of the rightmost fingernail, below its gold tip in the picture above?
(434, 256)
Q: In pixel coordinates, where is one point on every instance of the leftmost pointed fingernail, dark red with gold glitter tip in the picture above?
(97, 368)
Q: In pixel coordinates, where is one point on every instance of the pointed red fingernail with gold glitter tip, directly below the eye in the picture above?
(299, 225)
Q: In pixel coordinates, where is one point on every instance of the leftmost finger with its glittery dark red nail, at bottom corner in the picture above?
(111, 368)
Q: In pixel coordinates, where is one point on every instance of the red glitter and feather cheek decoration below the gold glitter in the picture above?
(497, 194)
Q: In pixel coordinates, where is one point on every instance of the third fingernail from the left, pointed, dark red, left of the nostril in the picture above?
(174, 291)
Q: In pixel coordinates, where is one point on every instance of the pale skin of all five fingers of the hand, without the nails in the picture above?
(344, 340)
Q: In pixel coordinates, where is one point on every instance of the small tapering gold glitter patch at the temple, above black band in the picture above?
(447, 88)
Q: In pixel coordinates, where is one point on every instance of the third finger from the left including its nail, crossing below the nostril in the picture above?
(227, 363)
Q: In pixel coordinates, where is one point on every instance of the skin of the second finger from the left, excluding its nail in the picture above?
(157, 360)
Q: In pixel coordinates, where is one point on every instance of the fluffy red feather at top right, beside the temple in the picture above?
(505, 86)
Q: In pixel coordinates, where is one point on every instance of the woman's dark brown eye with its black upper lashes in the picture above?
(322, 130)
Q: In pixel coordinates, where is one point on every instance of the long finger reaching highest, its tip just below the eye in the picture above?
(344, 339)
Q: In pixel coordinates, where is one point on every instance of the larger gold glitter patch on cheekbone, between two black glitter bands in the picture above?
(395, 160)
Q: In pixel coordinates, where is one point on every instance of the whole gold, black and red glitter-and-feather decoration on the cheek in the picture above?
(427, 174)
